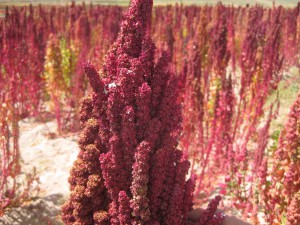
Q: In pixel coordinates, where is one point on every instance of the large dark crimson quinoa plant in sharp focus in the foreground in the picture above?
(129, 170)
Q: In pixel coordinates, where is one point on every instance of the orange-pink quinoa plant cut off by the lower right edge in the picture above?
(281, 196)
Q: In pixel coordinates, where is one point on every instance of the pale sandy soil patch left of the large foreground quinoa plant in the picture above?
(52, 158)
